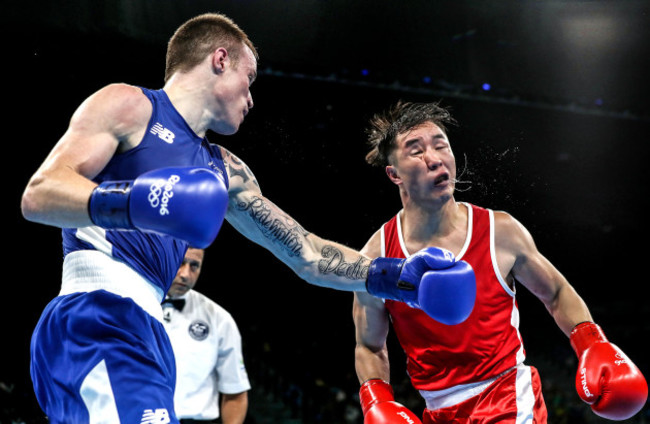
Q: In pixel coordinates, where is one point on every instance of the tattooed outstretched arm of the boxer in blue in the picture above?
(316, 260)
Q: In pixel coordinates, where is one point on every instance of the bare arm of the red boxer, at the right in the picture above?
(516, 248)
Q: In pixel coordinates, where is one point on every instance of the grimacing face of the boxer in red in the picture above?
(423, 164)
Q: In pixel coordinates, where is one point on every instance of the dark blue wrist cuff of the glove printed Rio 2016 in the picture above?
(109, 205)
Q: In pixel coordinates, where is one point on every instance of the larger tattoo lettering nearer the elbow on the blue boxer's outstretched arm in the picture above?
(281, 229)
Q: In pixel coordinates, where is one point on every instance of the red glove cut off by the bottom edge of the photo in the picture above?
(379, 406)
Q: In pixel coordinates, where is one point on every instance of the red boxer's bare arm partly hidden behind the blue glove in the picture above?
(371, 328)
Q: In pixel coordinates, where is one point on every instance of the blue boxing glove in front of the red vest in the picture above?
(431, 280)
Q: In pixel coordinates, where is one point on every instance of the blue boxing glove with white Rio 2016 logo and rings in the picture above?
(187, 203)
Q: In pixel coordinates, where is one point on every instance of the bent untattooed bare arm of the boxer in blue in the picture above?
(107, 121)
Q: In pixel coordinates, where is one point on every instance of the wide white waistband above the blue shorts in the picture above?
(90, 270)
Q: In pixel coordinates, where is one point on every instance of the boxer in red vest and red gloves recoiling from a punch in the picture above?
(474, 371)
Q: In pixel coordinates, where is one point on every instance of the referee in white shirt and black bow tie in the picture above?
(211, 382)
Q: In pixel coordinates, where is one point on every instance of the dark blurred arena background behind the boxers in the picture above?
(552, 101)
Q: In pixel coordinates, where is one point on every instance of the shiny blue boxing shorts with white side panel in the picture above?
(98, 357)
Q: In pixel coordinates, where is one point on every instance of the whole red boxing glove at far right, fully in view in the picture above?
(606, 379)
